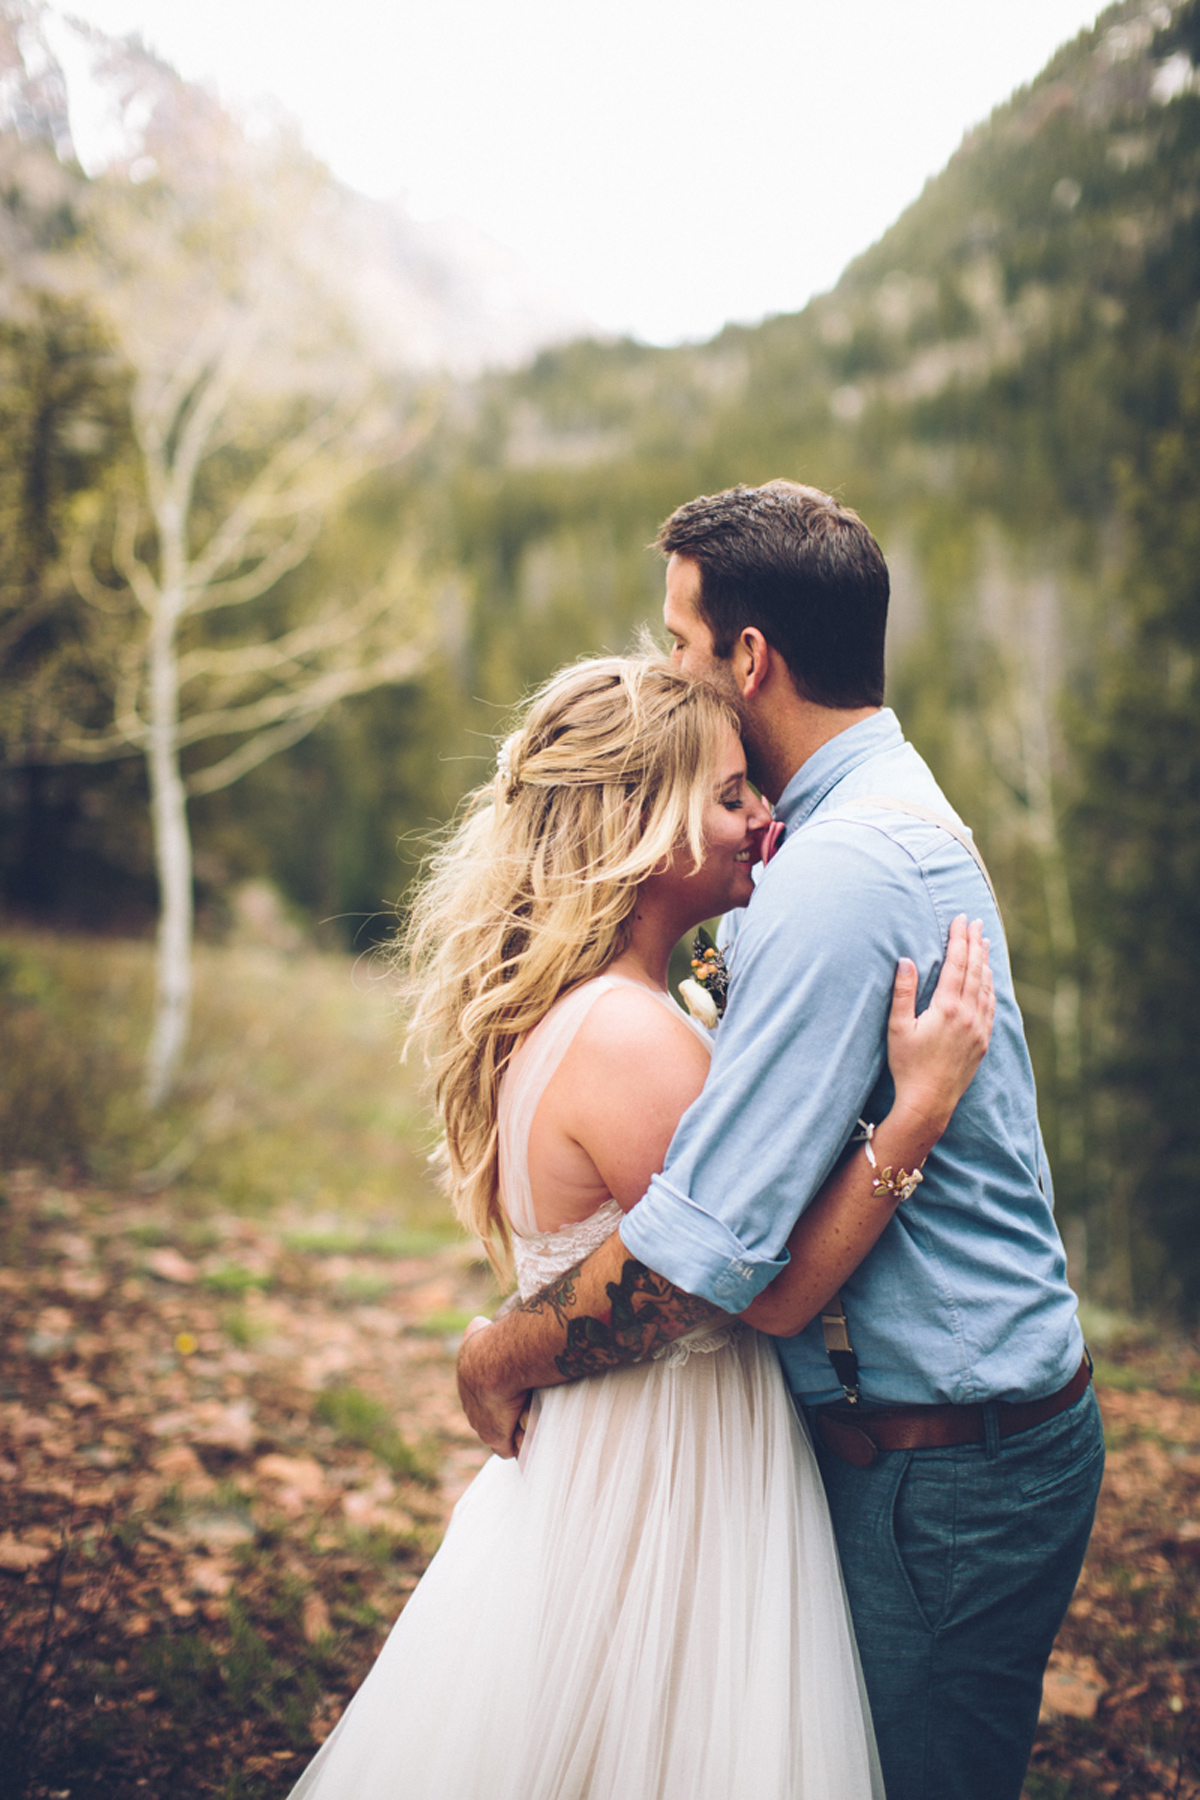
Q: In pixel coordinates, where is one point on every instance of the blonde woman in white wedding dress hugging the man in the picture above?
(647, 1605)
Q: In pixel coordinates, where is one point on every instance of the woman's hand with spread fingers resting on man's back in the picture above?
(933, 1057)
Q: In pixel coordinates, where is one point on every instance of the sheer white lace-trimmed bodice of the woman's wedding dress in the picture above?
(544, 1255)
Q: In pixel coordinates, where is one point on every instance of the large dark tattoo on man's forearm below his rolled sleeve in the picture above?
(647, 1315)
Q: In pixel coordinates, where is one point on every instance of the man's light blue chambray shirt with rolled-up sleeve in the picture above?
(965, 1297)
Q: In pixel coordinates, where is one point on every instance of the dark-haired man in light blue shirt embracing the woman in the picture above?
(958, 1435)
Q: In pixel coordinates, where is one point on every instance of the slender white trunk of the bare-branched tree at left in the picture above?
(174, 858)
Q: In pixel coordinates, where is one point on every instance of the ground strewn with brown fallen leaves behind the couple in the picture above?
(228, 1452)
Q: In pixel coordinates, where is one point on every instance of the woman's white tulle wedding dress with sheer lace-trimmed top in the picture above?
(647, 1606)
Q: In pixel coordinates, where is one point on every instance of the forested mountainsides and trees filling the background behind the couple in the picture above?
(1007, 388)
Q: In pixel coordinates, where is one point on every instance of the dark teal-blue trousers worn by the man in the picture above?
(960, 1567)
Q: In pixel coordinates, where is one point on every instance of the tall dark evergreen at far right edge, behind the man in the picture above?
(1140, 832)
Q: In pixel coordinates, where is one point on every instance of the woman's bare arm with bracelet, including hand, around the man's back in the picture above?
(931, 1072)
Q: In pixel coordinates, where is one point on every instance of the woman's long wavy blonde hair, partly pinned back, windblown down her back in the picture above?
(605, 778)
